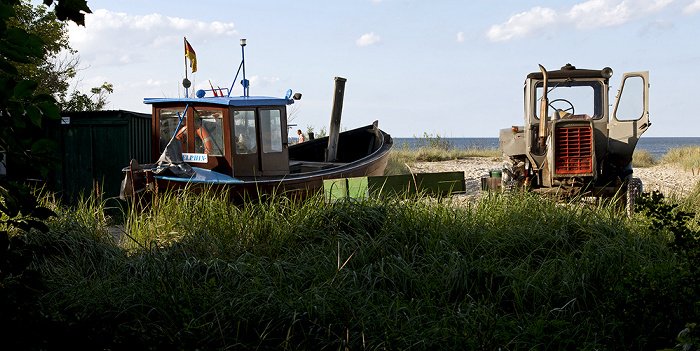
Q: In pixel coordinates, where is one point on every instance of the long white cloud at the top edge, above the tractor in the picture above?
(585, 15)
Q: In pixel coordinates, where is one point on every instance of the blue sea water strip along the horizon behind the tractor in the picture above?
(657, 146)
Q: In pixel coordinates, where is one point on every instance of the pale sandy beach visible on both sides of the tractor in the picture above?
(663, 177)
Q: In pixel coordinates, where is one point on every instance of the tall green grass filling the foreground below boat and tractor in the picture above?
(509, 271)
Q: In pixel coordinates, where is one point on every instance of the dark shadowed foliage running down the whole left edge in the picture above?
(23, 112)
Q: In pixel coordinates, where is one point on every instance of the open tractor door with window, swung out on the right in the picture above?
(630, 118)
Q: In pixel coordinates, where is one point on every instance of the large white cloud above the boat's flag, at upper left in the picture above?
(118, 38)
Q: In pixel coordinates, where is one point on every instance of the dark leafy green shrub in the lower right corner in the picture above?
(659, 299)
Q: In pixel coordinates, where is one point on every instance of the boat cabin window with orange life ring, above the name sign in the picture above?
(209, 132)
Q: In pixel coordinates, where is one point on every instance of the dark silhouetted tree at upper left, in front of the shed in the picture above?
(24, 110)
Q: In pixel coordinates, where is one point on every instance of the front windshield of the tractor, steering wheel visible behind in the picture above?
(572, 99)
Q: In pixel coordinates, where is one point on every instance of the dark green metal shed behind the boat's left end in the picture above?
(94, 146)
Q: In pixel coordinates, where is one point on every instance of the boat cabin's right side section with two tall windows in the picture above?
(260, 142)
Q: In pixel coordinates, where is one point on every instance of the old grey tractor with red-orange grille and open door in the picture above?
(584, 146)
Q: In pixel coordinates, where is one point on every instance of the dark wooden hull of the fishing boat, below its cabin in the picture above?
(362, 152)
